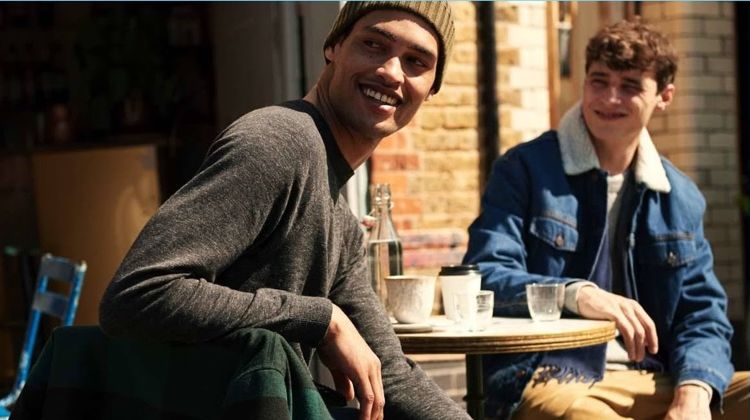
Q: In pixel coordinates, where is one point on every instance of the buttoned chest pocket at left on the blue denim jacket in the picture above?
(553, 243)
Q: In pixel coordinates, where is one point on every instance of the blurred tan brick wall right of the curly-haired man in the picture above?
(698, 133)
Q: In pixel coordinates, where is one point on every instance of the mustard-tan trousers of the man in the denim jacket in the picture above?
(624, 394)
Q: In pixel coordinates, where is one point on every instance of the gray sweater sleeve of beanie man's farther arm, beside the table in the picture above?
(409, 392)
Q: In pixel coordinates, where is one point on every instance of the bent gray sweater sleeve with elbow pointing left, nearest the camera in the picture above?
(166, 286)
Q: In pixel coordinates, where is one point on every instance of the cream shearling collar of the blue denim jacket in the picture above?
(579, 156)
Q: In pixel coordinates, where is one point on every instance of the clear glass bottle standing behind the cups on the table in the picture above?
(384, 254)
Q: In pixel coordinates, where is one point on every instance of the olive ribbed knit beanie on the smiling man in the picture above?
(436, 13)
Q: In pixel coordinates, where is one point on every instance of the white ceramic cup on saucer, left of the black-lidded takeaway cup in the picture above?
(410, 298)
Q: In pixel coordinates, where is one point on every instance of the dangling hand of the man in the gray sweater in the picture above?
(353, 365)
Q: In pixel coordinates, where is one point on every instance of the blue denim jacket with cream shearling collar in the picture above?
(543, 218)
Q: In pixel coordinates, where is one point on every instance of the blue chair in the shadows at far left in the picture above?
(47, 302)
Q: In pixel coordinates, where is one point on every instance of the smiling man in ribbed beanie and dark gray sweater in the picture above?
(261, 237)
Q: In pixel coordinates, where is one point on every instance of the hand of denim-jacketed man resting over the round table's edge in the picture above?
(636, 327)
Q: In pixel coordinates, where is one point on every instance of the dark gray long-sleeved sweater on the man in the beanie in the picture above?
(261, 237)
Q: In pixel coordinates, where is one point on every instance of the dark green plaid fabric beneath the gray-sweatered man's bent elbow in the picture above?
(251, 374)
